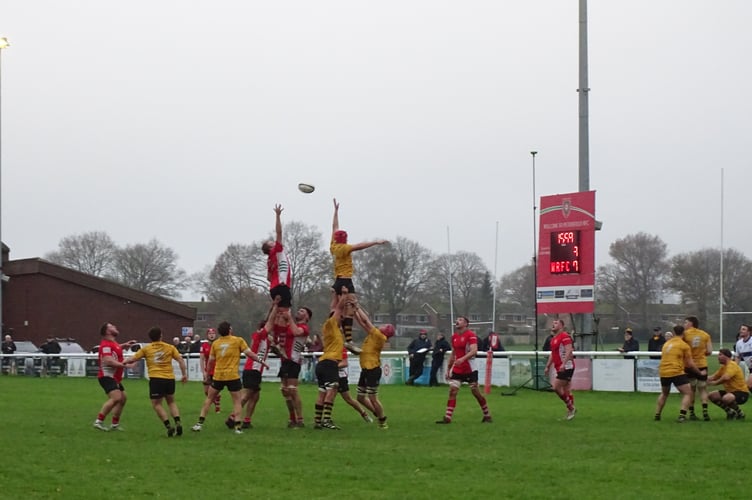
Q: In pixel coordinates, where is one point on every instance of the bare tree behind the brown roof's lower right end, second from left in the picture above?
(151, 267)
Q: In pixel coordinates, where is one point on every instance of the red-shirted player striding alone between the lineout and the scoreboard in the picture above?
(462, 369)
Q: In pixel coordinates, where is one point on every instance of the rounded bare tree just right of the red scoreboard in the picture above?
(641, 262)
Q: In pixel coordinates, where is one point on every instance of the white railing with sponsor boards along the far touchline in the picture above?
(595, 370)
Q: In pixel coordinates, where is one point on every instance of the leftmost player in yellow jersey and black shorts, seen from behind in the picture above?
(159, 356)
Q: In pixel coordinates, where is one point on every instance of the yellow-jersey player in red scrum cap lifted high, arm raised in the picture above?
(343, 272)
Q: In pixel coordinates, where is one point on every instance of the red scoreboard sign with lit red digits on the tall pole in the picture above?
(566, 254)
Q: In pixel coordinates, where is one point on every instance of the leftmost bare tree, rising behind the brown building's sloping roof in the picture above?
(92, 253)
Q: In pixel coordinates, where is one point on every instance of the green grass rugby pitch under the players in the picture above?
(612, 449)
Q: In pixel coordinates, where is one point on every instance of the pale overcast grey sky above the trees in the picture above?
(187, 121)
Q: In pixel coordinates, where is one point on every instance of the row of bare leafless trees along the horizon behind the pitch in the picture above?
(405, 277)
